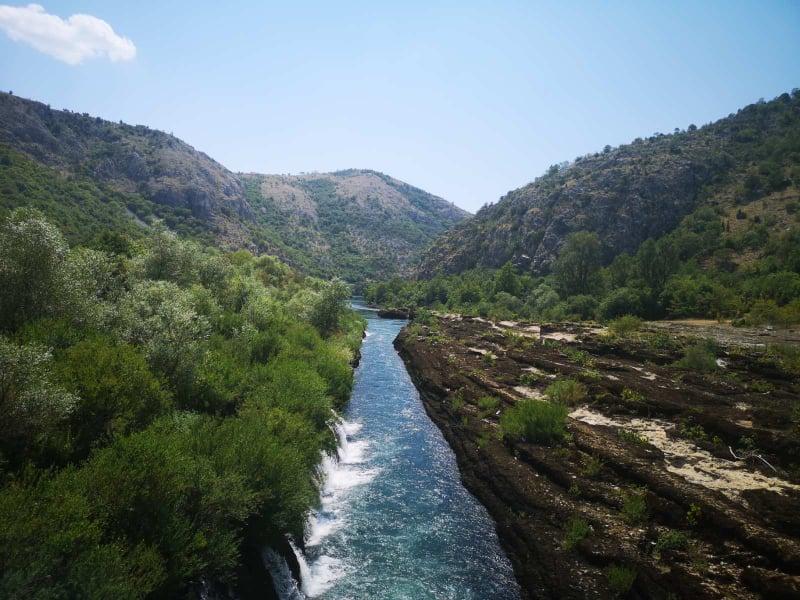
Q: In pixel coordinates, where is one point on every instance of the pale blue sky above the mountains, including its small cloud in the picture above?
(466, 100)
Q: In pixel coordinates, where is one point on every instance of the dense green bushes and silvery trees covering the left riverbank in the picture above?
(161, 405)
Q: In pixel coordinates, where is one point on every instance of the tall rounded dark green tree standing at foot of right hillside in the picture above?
(578, 263)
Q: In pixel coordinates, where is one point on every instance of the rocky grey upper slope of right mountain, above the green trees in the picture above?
(634, 192)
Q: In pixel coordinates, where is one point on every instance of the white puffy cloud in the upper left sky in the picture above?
(72, 40)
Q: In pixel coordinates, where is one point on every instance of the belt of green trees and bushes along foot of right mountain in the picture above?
(706, 267)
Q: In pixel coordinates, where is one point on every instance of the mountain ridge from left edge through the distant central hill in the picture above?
(89, 174)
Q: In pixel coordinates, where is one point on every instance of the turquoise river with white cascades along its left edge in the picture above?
(395, 522)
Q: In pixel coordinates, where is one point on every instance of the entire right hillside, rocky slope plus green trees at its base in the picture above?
(734, 252)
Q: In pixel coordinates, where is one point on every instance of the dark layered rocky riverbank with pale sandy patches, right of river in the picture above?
(672, 482)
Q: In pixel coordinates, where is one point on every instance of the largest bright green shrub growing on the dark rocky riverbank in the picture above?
(535, 421)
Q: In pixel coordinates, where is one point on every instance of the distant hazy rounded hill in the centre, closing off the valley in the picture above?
(357, 221)
